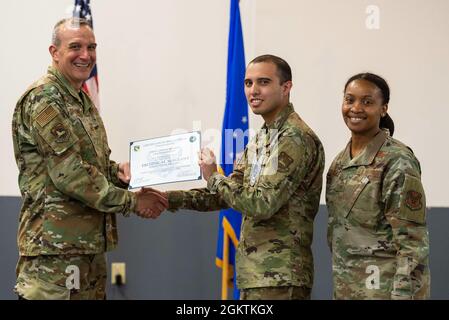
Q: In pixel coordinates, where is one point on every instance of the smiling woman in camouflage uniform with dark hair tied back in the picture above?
(377, 227)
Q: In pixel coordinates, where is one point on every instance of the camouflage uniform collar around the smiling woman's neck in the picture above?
(367, 156)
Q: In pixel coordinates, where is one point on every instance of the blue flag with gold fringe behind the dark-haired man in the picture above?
(234, 139)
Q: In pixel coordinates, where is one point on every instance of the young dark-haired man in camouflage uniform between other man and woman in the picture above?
(276, 185)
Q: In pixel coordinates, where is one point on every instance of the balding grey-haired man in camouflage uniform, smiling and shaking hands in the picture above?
(71, 189)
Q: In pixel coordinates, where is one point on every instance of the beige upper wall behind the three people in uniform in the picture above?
(162, 66)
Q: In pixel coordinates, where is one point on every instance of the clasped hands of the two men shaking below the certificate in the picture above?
(151, 203)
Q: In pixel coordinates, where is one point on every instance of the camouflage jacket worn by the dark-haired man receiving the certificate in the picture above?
(278, 203)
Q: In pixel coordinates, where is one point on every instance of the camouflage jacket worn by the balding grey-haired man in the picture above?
(69, 185)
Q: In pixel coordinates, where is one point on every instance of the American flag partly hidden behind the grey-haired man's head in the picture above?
(82, 10)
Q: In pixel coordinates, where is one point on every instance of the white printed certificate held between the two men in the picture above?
(165, 159)
